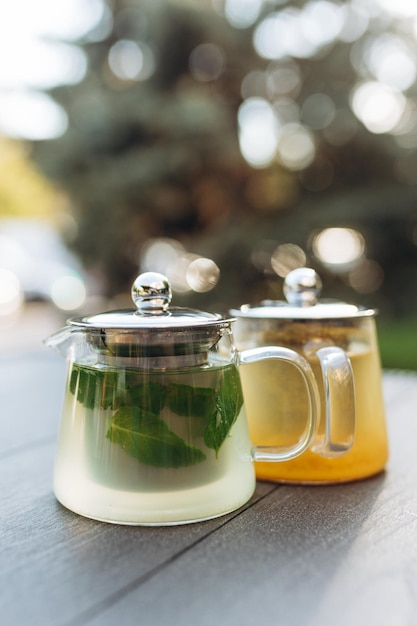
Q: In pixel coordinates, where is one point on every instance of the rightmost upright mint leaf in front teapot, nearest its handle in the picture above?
(229, 403)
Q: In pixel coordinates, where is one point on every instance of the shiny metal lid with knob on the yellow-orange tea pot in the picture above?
(302, 289)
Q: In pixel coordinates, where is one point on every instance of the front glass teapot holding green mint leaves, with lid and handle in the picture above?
(153, 428)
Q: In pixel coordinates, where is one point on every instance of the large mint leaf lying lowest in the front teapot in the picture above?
(148, 439)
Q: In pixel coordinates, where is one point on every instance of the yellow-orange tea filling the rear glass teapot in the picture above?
(276, 401)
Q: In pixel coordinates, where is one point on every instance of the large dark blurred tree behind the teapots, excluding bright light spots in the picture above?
(152, 150)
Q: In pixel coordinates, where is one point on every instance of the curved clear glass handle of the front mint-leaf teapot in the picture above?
(285, 453)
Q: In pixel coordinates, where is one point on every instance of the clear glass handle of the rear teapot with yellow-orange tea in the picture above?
(339, 403)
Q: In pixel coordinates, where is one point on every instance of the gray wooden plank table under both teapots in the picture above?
(316, 556)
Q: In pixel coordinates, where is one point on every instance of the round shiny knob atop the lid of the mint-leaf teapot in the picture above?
(151, 293)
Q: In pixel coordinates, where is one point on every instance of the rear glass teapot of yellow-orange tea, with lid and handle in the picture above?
(340, 343)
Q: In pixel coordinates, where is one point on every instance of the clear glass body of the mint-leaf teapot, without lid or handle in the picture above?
(153, 446)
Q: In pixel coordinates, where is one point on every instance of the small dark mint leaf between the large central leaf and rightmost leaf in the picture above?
(191, 401)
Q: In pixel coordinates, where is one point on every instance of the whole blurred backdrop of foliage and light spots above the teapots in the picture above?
(226, 142)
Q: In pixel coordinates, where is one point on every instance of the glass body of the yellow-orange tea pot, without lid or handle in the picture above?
(275, 397)
